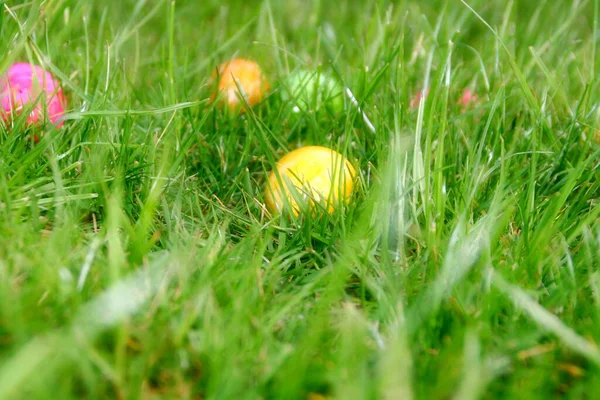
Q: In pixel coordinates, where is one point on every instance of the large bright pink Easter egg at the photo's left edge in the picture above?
(28, 86)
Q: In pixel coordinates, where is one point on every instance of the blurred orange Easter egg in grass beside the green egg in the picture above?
(249, 78)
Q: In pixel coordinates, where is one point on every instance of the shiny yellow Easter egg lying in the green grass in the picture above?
(310, 175)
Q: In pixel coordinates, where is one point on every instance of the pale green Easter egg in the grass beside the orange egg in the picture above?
(312, 92)
